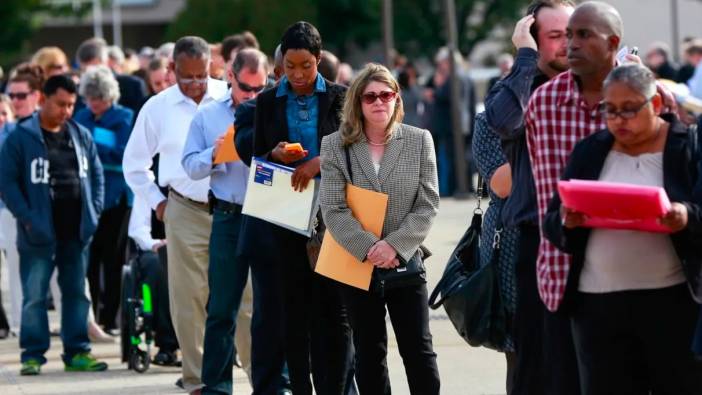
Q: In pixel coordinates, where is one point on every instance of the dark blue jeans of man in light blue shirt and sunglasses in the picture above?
(227, 278)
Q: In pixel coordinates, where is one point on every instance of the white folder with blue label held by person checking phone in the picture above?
(271, 197)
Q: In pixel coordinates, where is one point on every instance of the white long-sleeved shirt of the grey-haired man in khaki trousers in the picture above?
(162, 128)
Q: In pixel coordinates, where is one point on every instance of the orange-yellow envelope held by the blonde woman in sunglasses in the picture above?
(368, 207)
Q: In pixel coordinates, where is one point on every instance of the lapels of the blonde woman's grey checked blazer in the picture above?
(390, 158)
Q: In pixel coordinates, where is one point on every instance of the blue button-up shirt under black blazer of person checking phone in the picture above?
(302, 113)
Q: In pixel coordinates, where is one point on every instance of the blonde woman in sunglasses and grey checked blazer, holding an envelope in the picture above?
(375, 151)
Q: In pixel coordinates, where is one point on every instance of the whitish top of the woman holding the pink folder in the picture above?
(621, 260)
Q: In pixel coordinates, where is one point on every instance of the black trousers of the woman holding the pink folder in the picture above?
(637, 342)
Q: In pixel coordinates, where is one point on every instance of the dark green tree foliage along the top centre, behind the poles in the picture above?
(418, 24)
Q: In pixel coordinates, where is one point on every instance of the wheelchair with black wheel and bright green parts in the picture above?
(136, 319)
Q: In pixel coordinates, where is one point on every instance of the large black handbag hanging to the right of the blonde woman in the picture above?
(470, 292)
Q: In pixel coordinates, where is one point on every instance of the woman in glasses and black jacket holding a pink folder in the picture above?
(633, 293)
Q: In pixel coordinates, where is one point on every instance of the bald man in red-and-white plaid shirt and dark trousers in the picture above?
(560, 113)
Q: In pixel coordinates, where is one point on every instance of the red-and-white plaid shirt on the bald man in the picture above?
(557, 118)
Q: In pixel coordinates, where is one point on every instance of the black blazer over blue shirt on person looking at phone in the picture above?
(271, 126)
